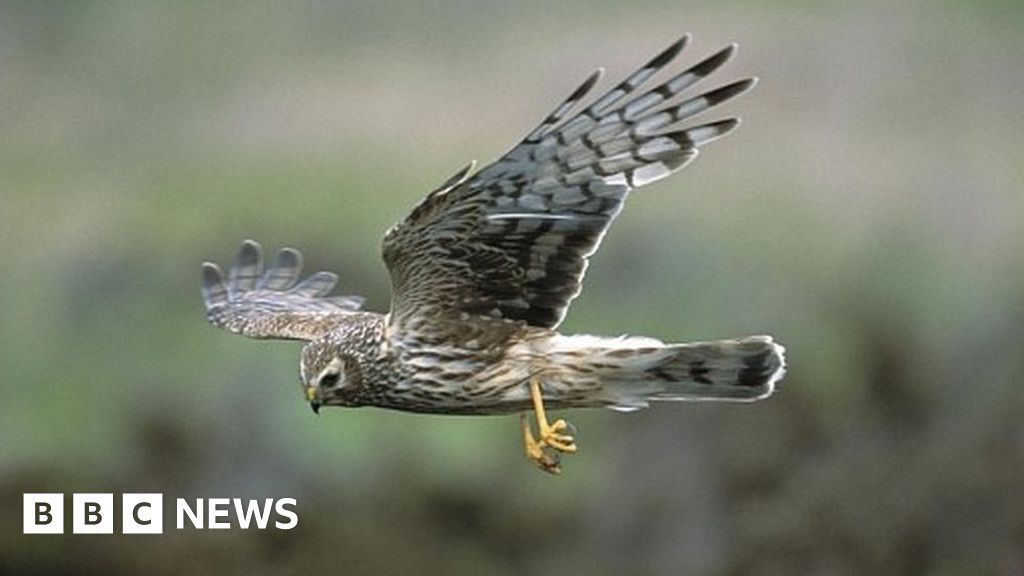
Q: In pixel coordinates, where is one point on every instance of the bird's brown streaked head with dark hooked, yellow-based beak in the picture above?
(330, 378)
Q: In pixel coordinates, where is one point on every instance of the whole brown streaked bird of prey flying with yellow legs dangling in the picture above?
(484, 270)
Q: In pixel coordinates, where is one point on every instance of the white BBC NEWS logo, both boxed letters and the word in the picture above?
(144, 514)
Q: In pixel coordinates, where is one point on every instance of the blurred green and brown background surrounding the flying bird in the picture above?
(869, 215)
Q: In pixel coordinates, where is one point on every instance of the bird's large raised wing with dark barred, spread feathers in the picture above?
(513, 241)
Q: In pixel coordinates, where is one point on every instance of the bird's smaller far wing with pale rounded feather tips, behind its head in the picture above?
(274, 304)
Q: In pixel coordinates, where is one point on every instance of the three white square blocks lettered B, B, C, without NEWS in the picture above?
(94, 514)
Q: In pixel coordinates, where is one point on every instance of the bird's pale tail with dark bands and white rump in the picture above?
(630, 373)
